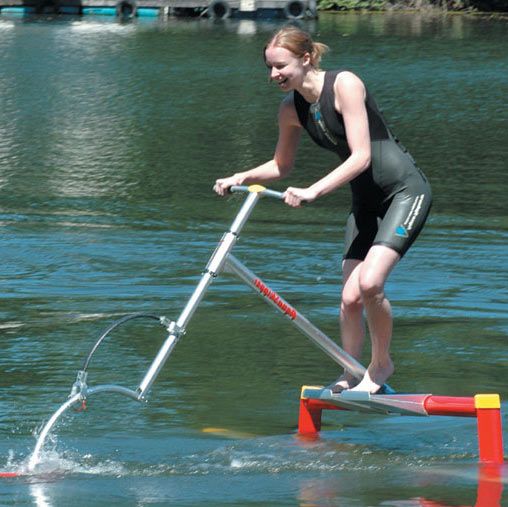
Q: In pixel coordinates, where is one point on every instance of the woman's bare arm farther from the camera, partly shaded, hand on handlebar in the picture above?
(282, 163)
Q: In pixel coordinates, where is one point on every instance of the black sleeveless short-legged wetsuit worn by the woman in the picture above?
(392, 197)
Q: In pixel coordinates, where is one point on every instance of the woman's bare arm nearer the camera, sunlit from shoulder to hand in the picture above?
(350, 102)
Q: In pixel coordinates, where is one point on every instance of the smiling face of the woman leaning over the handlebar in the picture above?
(286, 69)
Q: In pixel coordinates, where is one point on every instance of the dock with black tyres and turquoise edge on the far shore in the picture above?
(213, 9)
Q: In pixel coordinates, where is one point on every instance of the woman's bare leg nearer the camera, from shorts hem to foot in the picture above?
(374, 271)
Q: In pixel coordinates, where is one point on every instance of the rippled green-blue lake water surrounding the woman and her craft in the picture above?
(111, 135)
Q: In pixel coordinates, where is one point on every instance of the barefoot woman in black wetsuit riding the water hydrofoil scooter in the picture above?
(391, 196)
